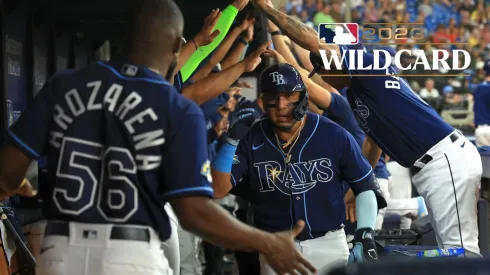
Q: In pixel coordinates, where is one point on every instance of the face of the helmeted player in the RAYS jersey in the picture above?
(280, 109)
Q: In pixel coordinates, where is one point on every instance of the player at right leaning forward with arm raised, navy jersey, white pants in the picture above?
(447, 167)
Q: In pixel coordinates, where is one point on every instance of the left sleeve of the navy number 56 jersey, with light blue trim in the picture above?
(30, 133)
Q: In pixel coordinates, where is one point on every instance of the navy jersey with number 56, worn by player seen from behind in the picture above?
(115, 136)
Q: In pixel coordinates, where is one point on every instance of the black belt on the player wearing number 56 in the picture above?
(117, 232)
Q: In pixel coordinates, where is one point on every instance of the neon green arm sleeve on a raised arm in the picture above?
(223, 25)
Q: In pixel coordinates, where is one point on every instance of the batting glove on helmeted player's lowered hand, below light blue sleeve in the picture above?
(364, 246)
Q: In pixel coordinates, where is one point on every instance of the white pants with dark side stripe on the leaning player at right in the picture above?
(450, 184)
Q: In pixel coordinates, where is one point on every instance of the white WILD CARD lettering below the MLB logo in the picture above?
(383, 59)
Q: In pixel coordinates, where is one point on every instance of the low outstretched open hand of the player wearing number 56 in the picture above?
(283, 255)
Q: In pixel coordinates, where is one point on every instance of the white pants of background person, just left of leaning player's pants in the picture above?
(400, 187)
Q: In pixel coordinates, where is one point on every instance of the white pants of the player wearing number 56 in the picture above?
(90, 250)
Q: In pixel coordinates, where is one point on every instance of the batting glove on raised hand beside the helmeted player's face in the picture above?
(240, 125)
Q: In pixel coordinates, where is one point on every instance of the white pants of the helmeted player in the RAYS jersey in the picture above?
(325, 253)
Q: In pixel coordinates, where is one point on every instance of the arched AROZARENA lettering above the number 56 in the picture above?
(124, 112)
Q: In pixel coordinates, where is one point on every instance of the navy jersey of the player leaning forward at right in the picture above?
(403, 125)
